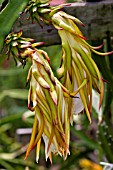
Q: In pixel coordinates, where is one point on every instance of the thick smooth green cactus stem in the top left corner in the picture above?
(8, 17)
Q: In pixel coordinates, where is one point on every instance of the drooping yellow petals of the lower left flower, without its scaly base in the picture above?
(50, 103)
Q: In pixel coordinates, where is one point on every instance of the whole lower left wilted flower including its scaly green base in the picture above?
(47, 97)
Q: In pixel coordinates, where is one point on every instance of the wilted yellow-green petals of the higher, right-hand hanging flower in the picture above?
(78, 70)
